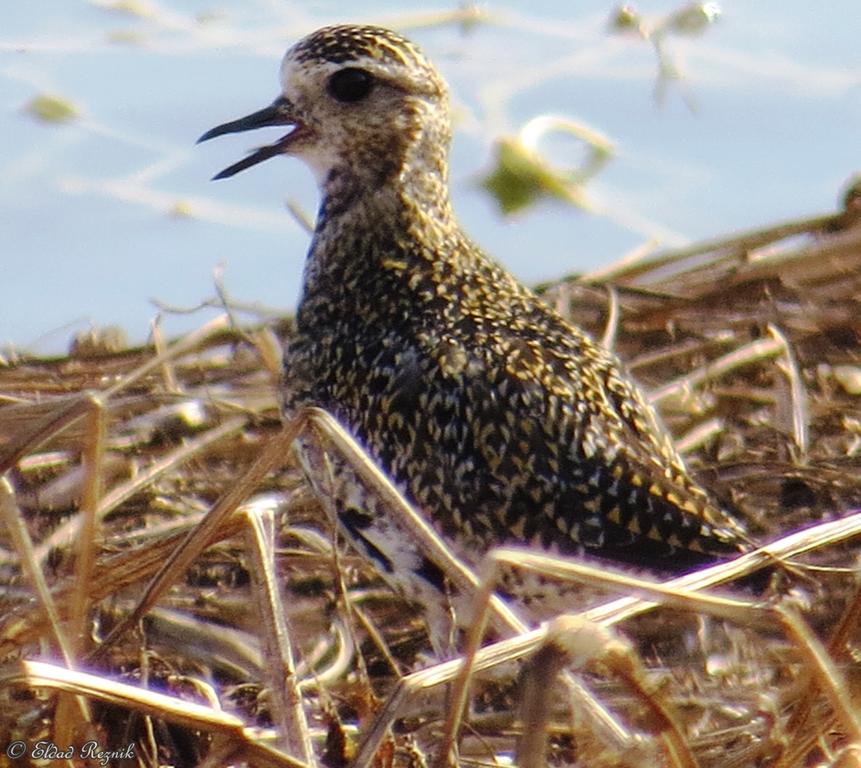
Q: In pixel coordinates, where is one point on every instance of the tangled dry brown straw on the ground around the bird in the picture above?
(142, 489)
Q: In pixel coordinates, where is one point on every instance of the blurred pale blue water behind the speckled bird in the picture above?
(643, 128)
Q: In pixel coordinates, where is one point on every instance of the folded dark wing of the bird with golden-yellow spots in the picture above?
(558, 409)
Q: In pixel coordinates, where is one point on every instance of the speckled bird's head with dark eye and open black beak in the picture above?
(359, 101)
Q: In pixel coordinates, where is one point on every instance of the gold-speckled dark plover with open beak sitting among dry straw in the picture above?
(499, 420)
